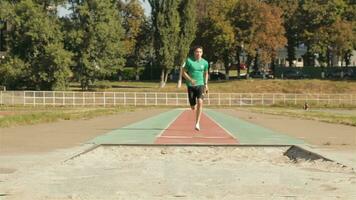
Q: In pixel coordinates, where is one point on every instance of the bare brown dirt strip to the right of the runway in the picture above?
(336, 141)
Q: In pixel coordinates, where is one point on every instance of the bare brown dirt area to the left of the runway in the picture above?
(64, 134)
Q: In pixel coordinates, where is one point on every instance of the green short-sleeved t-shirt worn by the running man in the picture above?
(196, 69)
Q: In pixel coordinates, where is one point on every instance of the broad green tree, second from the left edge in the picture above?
(96, 38)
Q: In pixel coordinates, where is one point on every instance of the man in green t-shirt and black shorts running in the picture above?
(195, 72)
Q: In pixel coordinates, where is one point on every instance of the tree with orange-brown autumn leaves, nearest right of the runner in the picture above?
(259, 27)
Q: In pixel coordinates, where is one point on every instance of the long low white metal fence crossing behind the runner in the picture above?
(56, 98)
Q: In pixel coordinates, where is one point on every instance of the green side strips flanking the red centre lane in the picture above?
(146, 131)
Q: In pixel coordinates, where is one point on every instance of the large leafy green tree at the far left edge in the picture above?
(35, 40)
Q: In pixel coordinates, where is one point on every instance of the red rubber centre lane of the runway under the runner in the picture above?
(182, 131)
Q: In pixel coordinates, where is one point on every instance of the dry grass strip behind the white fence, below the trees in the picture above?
(239, 86)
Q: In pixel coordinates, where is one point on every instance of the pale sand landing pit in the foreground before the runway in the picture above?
(185, 172)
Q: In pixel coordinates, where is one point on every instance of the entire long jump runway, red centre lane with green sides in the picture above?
(177, 127)
